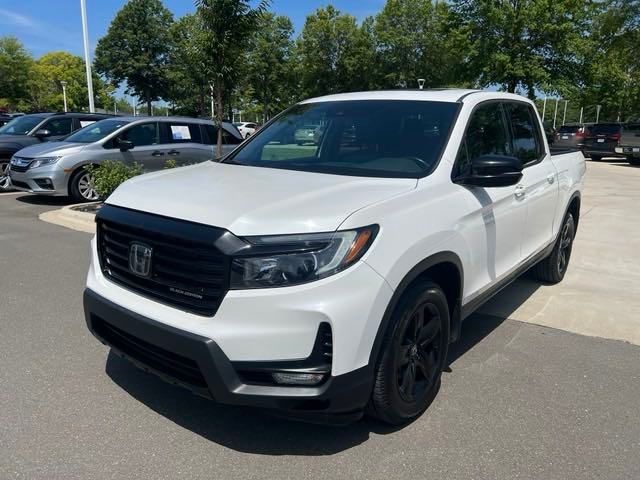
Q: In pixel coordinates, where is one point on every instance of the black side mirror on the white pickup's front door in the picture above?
(493, 171)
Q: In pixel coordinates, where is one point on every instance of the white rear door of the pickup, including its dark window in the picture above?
(538, 188)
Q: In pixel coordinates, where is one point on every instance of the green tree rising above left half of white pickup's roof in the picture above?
(334, 53)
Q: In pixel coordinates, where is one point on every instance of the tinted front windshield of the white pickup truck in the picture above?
(381, 138)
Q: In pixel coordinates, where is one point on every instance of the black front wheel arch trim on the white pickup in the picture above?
(445, 269)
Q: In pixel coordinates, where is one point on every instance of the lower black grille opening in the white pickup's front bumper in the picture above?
(163, 361)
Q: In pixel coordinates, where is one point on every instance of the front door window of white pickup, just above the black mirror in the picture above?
(486, 134)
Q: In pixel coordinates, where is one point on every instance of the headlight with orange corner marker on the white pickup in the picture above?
(284, 260)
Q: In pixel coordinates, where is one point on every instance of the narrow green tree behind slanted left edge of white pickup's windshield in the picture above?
(270, 65)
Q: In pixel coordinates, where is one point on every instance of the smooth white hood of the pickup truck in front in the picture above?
(255, 201)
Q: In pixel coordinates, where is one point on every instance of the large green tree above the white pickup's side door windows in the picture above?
(525, 44)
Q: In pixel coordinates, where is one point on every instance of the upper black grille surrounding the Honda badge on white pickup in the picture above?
(187, 271)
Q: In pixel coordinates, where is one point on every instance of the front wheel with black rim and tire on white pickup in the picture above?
(407, 376)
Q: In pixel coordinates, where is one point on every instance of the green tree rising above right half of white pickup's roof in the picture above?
(416, 39)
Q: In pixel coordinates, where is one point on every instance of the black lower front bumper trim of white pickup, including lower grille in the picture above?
(197, 363)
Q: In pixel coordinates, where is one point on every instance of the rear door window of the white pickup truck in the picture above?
(525, 135)
